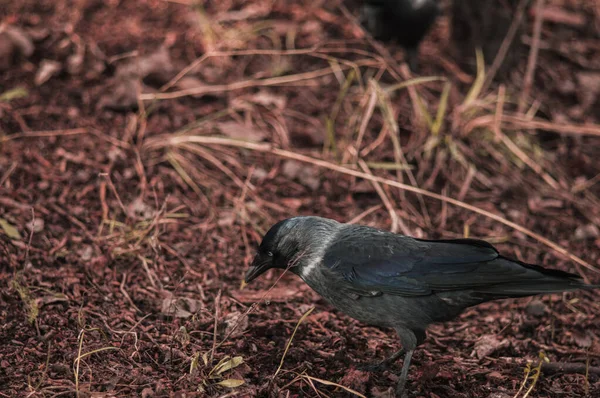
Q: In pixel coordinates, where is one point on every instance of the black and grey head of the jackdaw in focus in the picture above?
(286, 243)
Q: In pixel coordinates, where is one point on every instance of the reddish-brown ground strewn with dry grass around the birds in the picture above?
(146, 146)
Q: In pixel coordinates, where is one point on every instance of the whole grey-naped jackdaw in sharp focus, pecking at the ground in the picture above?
(397, 281)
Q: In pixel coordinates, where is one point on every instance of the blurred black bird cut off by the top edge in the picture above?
(404, 21)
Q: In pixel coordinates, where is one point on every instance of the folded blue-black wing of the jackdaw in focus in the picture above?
(374, 263)
